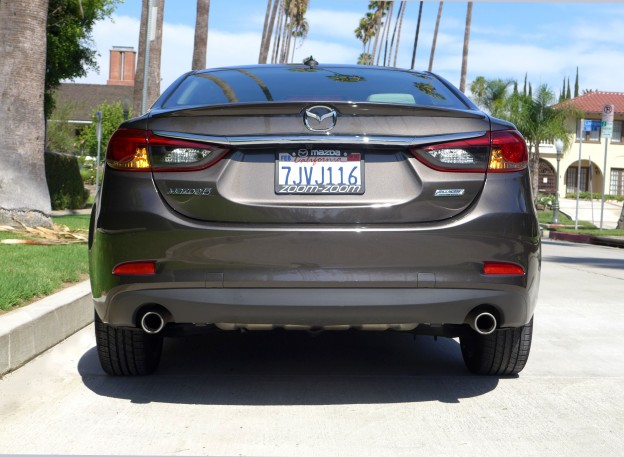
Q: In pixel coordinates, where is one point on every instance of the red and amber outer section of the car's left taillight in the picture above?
(127, 150)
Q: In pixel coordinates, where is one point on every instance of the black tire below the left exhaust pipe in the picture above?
(126, 352)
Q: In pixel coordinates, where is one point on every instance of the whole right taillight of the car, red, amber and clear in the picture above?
(499, 151)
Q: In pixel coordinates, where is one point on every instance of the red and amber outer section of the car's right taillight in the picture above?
(509, 152)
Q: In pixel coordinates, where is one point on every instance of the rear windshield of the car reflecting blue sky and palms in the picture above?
(283, 84)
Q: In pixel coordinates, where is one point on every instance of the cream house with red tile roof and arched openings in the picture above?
(593, 172)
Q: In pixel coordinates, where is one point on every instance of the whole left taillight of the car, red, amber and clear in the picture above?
(140, 150)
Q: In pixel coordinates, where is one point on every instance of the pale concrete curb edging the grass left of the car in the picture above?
(29, 331)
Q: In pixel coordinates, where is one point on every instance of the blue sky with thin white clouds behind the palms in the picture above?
(547, 40)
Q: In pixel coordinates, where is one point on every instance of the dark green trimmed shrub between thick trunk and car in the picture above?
(64, 181)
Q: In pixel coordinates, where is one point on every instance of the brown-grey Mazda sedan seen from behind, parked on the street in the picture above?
(315, 197)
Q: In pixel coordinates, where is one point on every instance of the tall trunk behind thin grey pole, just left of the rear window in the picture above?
(155, 46)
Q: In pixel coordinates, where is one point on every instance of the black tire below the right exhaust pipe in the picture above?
(503, 352)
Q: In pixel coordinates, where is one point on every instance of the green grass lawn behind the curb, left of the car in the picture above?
(28, 272)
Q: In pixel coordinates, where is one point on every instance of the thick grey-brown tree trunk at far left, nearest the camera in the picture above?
(24, 196)
